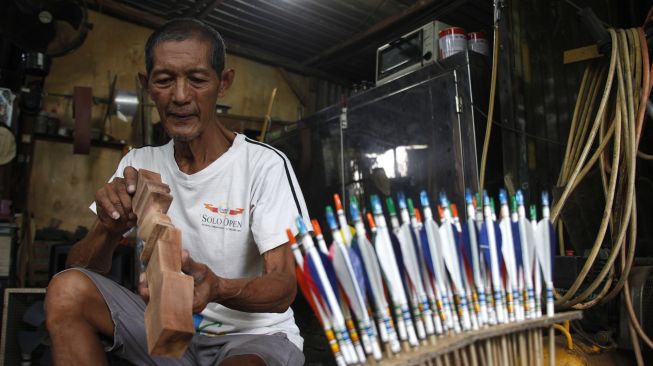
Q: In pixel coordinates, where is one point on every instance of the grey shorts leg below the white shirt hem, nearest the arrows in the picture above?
(275, 349)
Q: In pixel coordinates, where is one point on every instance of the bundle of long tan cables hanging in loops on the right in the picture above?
(619, 119)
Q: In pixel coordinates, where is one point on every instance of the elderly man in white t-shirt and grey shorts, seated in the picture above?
(233, 199)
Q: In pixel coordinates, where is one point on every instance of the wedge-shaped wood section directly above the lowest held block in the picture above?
(166, 254)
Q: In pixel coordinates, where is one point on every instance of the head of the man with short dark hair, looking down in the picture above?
(184, 61)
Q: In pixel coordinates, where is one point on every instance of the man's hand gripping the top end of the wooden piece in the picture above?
(114, 202)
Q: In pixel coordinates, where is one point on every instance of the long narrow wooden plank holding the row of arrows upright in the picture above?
(450, 343)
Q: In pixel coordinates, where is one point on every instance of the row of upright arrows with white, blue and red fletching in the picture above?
(416, 279)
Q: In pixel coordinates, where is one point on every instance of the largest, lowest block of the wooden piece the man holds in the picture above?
(168, 316)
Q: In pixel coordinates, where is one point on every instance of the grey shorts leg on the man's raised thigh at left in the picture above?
(127, 312)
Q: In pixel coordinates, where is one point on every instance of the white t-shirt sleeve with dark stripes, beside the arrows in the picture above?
(277, 202)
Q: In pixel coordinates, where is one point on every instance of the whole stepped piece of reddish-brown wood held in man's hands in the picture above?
(168, 315)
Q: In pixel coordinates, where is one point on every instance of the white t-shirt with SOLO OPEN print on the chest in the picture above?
(230, 213)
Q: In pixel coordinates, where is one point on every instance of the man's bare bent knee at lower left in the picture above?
(67, 295)
